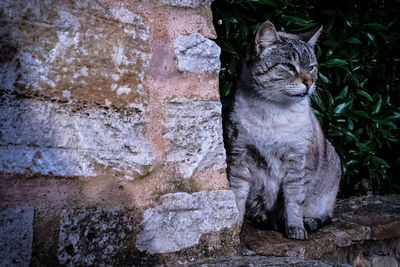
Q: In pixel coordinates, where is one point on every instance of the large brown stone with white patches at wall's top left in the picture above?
(75, 50)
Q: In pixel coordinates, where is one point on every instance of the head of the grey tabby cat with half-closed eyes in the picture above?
(282, 66)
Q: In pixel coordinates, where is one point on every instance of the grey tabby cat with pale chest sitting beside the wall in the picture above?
(281, 168)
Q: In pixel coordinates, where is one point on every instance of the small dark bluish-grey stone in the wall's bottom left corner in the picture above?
(16, 233)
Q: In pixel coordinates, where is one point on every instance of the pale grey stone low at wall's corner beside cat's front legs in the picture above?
(180, 220)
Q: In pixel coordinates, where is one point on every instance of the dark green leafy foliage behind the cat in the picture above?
(359, 67)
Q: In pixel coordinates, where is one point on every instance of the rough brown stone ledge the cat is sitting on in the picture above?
(365, 232)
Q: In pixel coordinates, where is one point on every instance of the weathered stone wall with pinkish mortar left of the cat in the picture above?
(110, 133)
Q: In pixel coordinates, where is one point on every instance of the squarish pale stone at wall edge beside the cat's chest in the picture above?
(193, 131)
